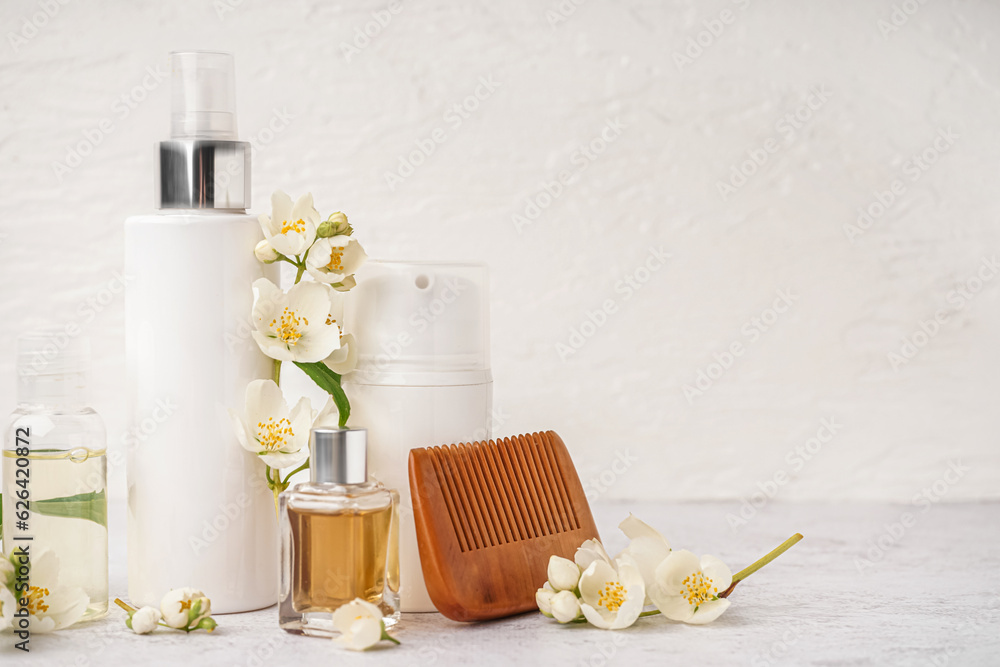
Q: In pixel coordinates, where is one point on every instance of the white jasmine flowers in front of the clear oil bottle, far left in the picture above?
(51, 605)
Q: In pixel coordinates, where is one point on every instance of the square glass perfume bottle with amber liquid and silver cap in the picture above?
(339, 537)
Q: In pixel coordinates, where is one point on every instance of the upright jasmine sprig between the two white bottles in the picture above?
(303, 325)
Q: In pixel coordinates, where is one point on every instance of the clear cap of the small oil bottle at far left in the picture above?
(52, 365)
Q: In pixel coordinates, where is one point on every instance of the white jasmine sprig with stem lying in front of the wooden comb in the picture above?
(612, 593)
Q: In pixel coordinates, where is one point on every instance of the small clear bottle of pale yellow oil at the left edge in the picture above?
(54, 473)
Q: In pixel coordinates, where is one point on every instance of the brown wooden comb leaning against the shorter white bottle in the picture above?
(488, 517)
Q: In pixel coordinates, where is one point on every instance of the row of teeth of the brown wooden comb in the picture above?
(506, 491)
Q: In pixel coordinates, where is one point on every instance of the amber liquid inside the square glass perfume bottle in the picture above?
(338, 557)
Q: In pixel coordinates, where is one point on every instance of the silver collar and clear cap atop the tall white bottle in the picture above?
(203, 165)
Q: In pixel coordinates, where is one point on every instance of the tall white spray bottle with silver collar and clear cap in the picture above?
(199, 511)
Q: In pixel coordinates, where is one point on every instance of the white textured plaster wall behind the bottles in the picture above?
(550, 83)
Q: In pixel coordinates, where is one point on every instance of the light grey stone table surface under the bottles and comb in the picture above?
(860, 589)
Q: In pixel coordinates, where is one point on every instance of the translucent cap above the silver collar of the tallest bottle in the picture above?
(203, 95)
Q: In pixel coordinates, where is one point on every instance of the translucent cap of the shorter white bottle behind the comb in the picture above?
(420, 323)
